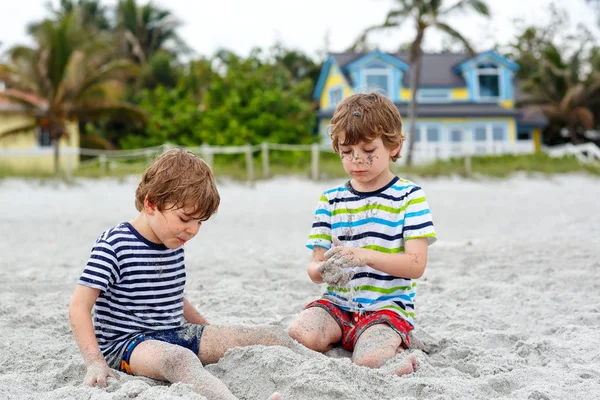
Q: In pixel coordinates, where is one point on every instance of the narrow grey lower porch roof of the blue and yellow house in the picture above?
(450, 110)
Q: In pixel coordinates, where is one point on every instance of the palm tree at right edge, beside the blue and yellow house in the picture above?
(558, 76)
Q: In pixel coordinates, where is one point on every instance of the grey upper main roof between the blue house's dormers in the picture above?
(437, 68)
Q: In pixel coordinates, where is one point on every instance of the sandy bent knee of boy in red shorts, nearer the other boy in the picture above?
(315, 329)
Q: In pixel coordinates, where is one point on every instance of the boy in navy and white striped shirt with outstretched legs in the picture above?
(135, 278)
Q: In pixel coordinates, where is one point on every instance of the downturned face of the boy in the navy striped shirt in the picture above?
(172, 226)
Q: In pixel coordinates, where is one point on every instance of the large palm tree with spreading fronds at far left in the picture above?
(69, 75)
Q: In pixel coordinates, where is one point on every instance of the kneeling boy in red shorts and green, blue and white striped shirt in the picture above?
(369, 240)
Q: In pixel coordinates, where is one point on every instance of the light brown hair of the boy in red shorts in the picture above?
(364, 117)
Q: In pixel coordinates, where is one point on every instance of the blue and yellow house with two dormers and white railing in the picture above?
(466, 102)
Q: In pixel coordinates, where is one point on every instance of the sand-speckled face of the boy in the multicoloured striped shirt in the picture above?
(367, 163)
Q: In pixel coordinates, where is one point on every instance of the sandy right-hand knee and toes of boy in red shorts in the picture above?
(376, 345)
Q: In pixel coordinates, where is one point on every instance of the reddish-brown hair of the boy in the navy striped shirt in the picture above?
(179, 179)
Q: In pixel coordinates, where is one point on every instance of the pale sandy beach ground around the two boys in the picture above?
(509, 306)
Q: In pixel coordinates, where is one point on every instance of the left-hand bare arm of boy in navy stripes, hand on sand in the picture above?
(80, 314)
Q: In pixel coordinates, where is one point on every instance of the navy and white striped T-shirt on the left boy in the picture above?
(141, 286)
